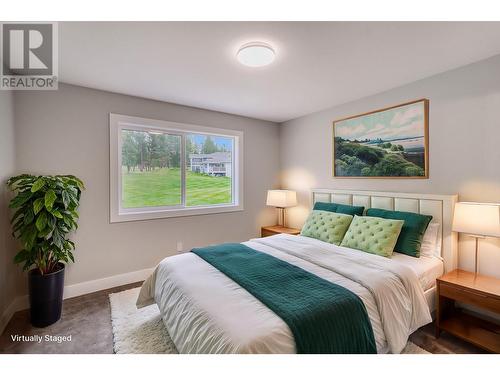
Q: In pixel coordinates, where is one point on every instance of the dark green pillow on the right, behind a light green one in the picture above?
(412, 233)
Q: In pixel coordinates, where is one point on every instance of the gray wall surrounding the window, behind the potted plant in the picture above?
(67, 132)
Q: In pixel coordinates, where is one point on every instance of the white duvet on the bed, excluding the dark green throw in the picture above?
(206, 312)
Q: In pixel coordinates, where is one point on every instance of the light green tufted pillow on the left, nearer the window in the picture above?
(326, 226)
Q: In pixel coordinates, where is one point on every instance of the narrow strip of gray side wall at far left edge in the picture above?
(9, 273)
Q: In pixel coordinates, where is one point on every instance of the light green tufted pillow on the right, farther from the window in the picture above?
(373, 234)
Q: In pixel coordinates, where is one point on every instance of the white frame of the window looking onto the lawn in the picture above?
(118, 122)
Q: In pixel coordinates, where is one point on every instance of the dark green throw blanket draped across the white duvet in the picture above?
(324, 317)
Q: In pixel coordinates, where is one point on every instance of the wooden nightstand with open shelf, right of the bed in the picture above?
(479, 291)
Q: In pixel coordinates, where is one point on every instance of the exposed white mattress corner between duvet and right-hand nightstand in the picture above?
(427, 269)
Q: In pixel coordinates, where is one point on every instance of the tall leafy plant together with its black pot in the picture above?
(45, 213)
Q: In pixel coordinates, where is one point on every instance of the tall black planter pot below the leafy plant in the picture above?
(46, 293)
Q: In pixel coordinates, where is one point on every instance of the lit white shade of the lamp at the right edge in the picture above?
(481, 219)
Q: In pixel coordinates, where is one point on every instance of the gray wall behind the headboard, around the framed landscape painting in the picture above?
(464, 146)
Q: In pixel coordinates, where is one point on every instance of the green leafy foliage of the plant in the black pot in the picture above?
(45, 212)
